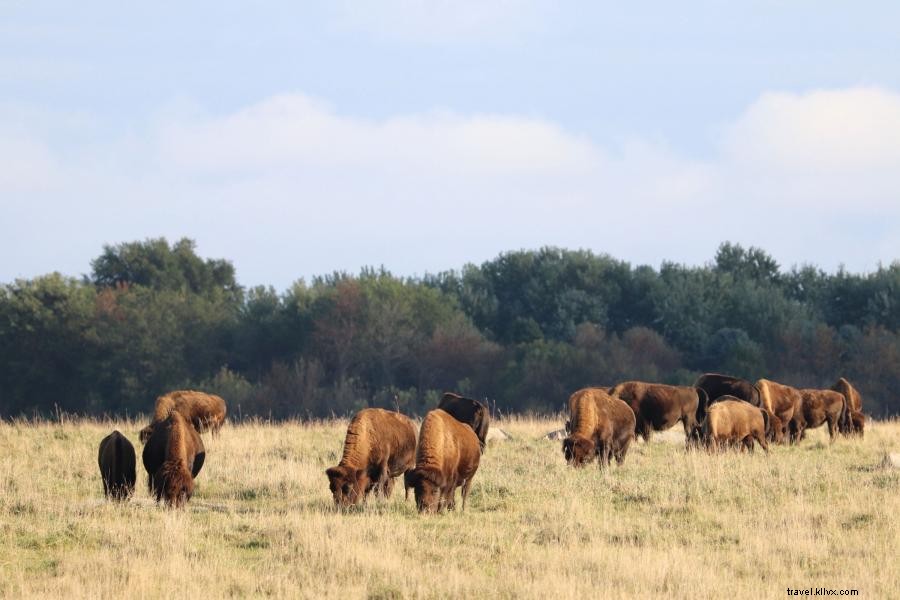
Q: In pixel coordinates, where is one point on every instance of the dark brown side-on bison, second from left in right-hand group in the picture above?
(658, 407)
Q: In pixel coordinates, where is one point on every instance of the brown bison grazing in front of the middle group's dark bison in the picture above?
(447, 457)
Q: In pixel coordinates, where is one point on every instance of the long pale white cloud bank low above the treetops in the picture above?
(289, 187)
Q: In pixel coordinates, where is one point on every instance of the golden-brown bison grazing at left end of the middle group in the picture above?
(380, 445)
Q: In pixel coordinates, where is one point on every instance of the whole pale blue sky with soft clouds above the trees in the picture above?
(297, 139)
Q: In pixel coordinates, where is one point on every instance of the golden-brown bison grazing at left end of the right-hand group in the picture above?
(601, 426)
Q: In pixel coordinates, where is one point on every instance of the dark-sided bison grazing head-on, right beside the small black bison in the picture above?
(173, 456)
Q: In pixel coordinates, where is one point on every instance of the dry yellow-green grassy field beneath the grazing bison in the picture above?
(668, 523)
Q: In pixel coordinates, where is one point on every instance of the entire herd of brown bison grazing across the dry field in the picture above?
(718, 411)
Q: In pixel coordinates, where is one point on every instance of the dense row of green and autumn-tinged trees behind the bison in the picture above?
(523, 330)
